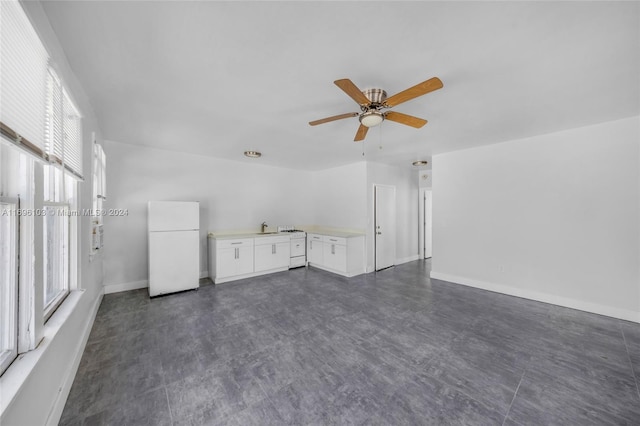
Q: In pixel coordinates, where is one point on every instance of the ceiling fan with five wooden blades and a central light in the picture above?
(373, 102)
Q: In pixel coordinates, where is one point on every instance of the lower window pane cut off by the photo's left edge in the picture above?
(8, 281)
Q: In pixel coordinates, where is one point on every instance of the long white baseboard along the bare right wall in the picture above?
(553, 299)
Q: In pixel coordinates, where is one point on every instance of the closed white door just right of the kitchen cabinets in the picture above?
(385, 226)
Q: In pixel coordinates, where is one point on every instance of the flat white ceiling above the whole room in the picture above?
(218, 78)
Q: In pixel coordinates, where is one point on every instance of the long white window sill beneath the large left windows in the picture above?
(19, 371)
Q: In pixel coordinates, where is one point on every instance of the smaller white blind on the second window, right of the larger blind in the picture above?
(63, 142)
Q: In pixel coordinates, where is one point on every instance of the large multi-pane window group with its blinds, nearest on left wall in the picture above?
(40, 170)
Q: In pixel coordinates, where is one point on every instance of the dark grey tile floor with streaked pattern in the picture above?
(392, 348)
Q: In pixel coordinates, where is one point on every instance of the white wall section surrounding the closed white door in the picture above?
(407, 197)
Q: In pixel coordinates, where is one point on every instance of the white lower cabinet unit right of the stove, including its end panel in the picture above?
(342, 255)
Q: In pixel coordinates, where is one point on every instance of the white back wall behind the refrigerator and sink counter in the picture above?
(233, 196)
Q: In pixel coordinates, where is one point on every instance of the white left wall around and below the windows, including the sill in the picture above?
(43, 377)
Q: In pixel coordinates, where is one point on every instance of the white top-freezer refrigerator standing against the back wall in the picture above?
(174, 246)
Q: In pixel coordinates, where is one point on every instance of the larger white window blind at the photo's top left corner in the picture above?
(23, 76)
